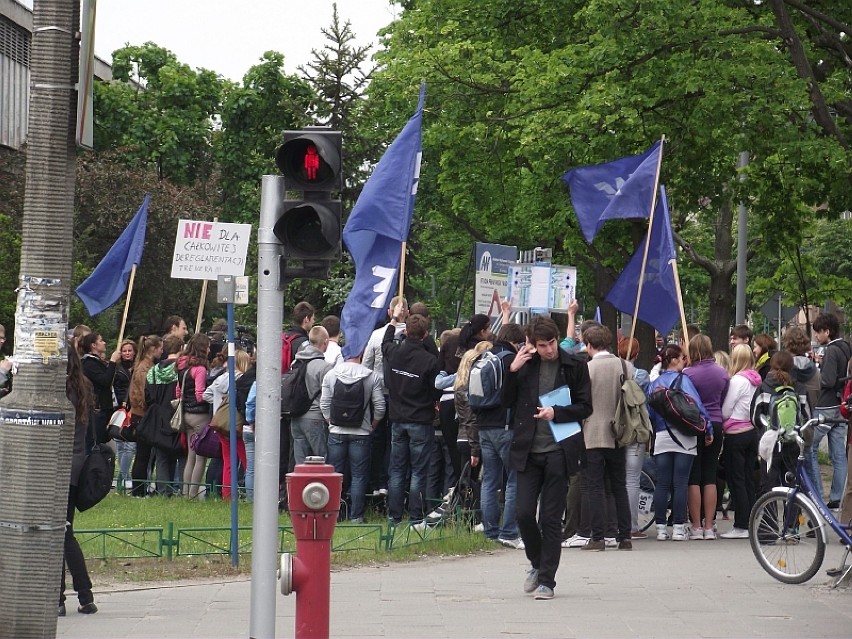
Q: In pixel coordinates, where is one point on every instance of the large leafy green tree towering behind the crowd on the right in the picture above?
(521, 92)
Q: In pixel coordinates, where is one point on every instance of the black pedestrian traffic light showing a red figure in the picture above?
(309, 228)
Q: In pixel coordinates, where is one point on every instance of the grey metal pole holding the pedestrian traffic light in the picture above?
(270, 315)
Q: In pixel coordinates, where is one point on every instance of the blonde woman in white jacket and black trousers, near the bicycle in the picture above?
(741, 438)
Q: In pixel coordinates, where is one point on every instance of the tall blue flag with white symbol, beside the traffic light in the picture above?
(376, 229)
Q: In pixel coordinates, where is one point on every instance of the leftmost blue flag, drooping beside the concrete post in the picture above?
(108, 281)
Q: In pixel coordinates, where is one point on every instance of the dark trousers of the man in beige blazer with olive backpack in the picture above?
(603, 464)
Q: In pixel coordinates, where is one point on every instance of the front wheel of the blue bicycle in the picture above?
(785, 537)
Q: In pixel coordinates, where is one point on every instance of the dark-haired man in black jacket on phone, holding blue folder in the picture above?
(543, 452)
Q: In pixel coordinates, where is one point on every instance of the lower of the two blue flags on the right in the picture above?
(658, 305)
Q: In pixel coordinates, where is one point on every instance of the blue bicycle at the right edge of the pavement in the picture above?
(787, 525)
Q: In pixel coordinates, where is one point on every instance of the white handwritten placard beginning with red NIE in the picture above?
(206, 250)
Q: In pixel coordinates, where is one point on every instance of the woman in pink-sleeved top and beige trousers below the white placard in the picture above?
(192, 381)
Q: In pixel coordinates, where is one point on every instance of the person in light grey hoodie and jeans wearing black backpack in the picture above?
(349, 446)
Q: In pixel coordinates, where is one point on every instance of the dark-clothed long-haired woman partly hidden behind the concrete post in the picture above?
(79, 392)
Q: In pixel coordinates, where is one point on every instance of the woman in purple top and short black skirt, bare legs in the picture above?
(711, 381)
